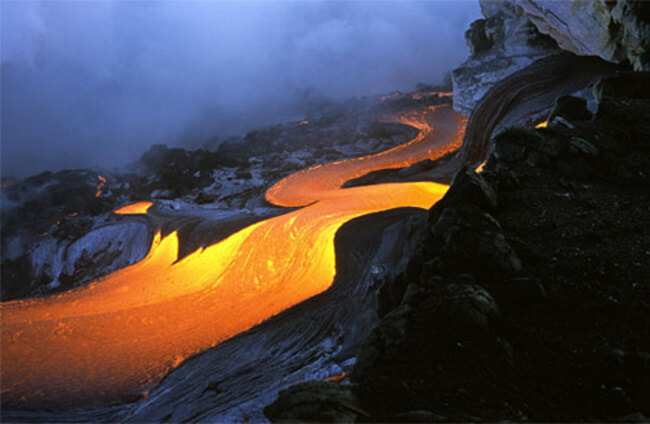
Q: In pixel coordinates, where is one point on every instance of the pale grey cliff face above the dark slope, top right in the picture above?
(516, 33)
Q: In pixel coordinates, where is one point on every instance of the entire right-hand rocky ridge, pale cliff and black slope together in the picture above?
(527, 298)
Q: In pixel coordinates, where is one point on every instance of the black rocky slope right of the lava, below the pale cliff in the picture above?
(527, 299)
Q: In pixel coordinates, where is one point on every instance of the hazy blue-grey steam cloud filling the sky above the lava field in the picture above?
(96, 83)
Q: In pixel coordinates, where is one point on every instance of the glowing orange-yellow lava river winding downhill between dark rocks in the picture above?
(119, 335)
